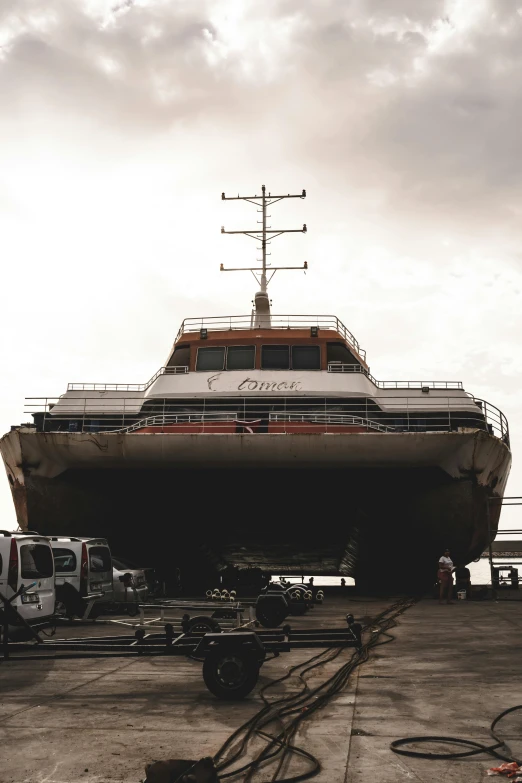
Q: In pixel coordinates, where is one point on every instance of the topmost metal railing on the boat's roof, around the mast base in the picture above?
(232, 322)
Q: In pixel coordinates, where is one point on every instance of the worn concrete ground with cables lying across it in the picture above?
(450, 670)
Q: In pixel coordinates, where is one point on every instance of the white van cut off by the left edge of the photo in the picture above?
(27, 559)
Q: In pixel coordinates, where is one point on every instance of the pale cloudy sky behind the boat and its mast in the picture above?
(121, 123)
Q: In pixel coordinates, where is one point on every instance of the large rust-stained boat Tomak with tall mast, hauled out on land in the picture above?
(265, 442)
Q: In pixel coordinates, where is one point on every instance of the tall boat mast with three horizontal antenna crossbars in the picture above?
(265, 234)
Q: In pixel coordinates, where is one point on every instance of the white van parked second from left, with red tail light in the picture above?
(84, 564)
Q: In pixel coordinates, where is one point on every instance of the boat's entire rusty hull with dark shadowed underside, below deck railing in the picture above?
(380, 508)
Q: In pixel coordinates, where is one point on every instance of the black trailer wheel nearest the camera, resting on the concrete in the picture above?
(229, 676)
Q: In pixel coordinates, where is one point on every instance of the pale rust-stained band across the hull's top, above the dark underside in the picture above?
(458, 454)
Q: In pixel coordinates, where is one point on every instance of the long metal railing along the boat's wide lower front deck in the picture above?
(390, 414)
